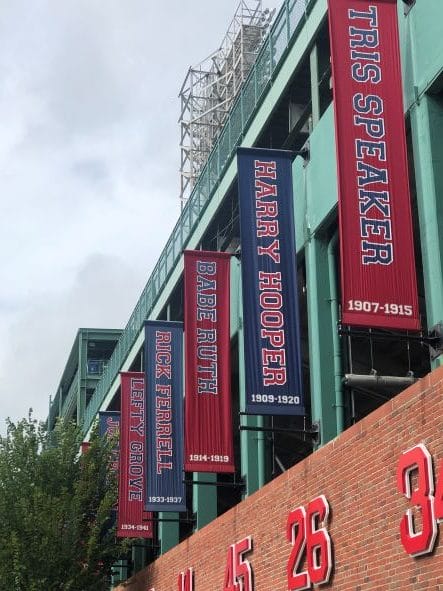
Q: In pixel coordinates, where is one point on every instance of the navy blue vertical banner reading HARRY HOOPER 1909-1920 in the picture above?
(269, 279)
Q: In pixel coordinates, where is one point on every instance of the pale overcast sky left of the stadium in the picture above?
(89, 160)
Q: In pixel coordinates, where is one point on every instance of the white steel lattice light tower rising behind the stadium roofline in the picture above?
(211, 87)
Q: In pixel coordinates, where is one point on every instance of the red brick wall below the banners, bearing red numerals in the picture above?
(357, 473)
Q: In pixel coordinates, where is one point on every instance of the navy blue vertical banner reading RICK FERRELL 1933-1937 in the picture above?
(165, 490)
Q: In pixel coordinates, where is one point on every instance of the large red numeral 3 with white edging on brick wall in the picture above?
(416, 463)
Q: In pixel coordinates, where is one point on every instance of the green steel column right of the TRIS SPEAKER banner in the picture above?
(427, 134)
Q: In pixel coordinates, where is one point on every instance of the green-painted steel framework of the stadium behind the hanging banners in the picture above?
(295, 40)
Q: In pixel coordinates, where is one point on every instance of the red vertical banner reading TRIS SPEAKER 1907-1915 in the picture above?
(378, 278)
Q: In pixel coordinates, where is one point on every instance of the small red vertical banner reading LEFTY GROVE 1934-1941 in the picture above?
(132, 520)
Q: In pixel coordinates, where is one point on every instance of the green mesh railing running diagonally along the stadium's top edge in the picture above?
(282, 34)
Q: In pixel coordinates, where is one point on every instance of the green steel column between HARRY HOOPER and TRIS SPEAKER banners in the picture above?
(321, 350)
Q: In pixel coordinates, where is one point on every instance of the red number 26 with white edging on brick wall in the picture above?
(306, 531)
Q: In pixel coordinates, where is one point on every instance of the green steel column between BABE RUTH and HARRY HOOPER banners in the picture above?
(252, 443)
